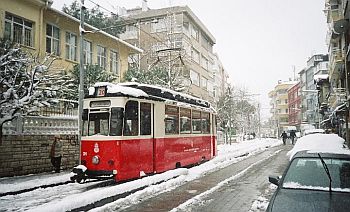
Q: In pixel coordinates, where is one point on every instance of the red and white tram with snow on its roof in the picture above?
(132, 130)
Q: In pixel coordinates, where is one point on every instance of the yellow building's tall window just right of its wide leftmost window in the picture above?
(52, 39)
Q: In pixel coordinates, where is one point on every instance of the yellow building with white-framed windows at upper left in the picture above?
(45, 30)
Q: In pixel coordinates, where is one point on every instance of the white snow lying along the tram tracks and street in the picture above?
(73, 196)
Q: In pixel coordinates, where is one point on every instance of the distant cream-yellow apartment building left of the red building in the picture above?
(279, 106)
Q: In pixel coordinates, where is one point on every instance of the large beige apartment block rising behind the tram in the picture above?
(175, 38)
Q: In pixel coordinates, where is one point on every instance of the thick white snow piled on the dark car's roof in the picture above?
(325, 143)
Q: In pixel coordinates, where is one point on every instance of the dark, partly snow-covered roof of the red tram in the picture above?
(132, 89)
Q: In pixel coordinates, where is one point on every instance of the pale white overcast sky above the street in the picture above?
(258, 41)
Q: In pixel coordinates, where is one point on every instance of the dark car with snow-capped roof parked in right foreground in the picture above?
(313, 182)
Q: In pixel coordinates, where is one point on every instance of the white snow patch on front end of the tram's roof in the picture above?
(115, 88)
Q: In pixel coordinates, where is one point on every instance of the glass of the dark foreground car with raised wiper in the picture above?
(308, 173)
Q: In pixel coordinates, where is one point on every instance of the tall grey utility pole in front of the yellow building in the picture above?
(81, 76)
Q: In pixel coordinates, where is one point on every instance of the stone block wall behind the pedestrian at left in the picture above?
(29, 154)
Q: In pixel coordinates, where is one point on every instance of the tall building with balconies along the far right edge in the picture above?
(337, 113)
